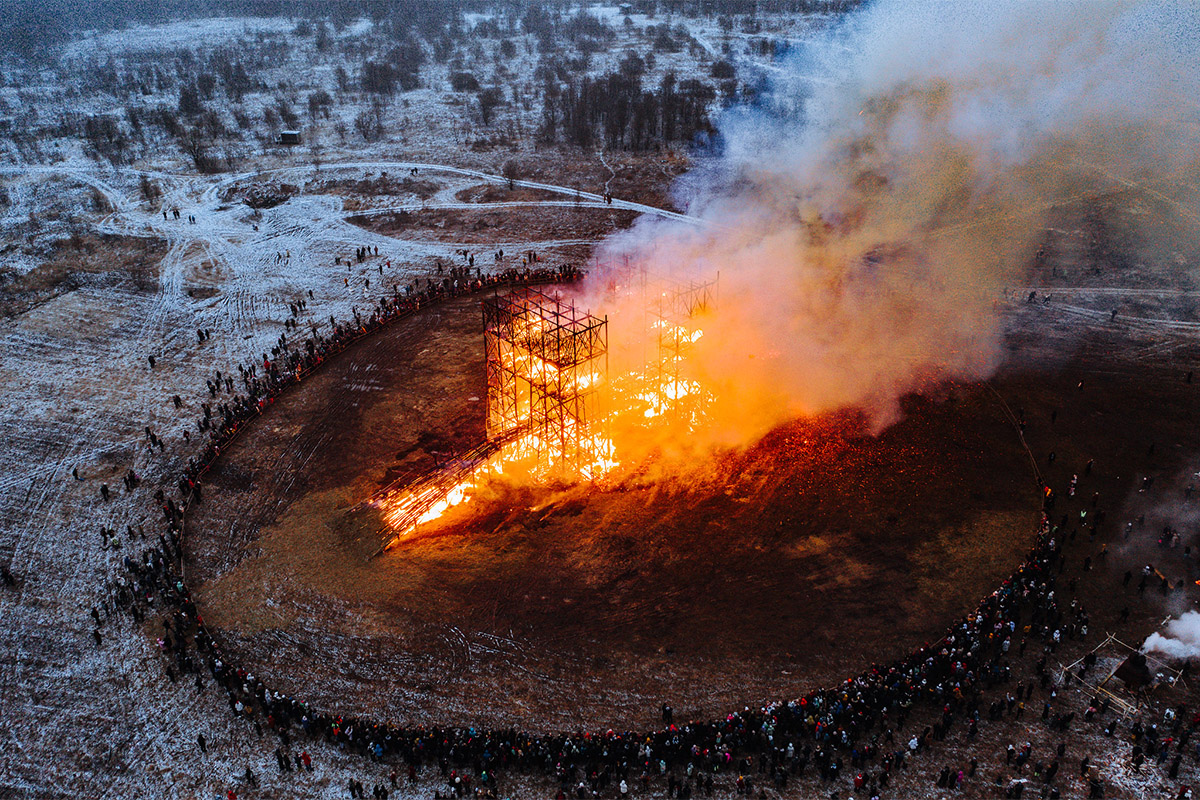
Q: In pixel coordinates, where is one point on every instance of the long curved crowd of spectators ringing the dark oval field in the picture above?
(849, 731)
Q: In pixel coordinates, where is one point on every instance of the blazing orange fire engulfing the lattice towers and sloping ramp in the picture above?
(532, 438)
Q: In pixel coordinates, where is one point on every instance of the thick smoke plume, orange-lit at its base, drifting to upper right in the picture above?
(867, 225)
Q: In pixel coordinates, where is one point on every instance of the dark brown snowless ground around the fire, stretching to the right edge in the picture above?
(827, 550)
